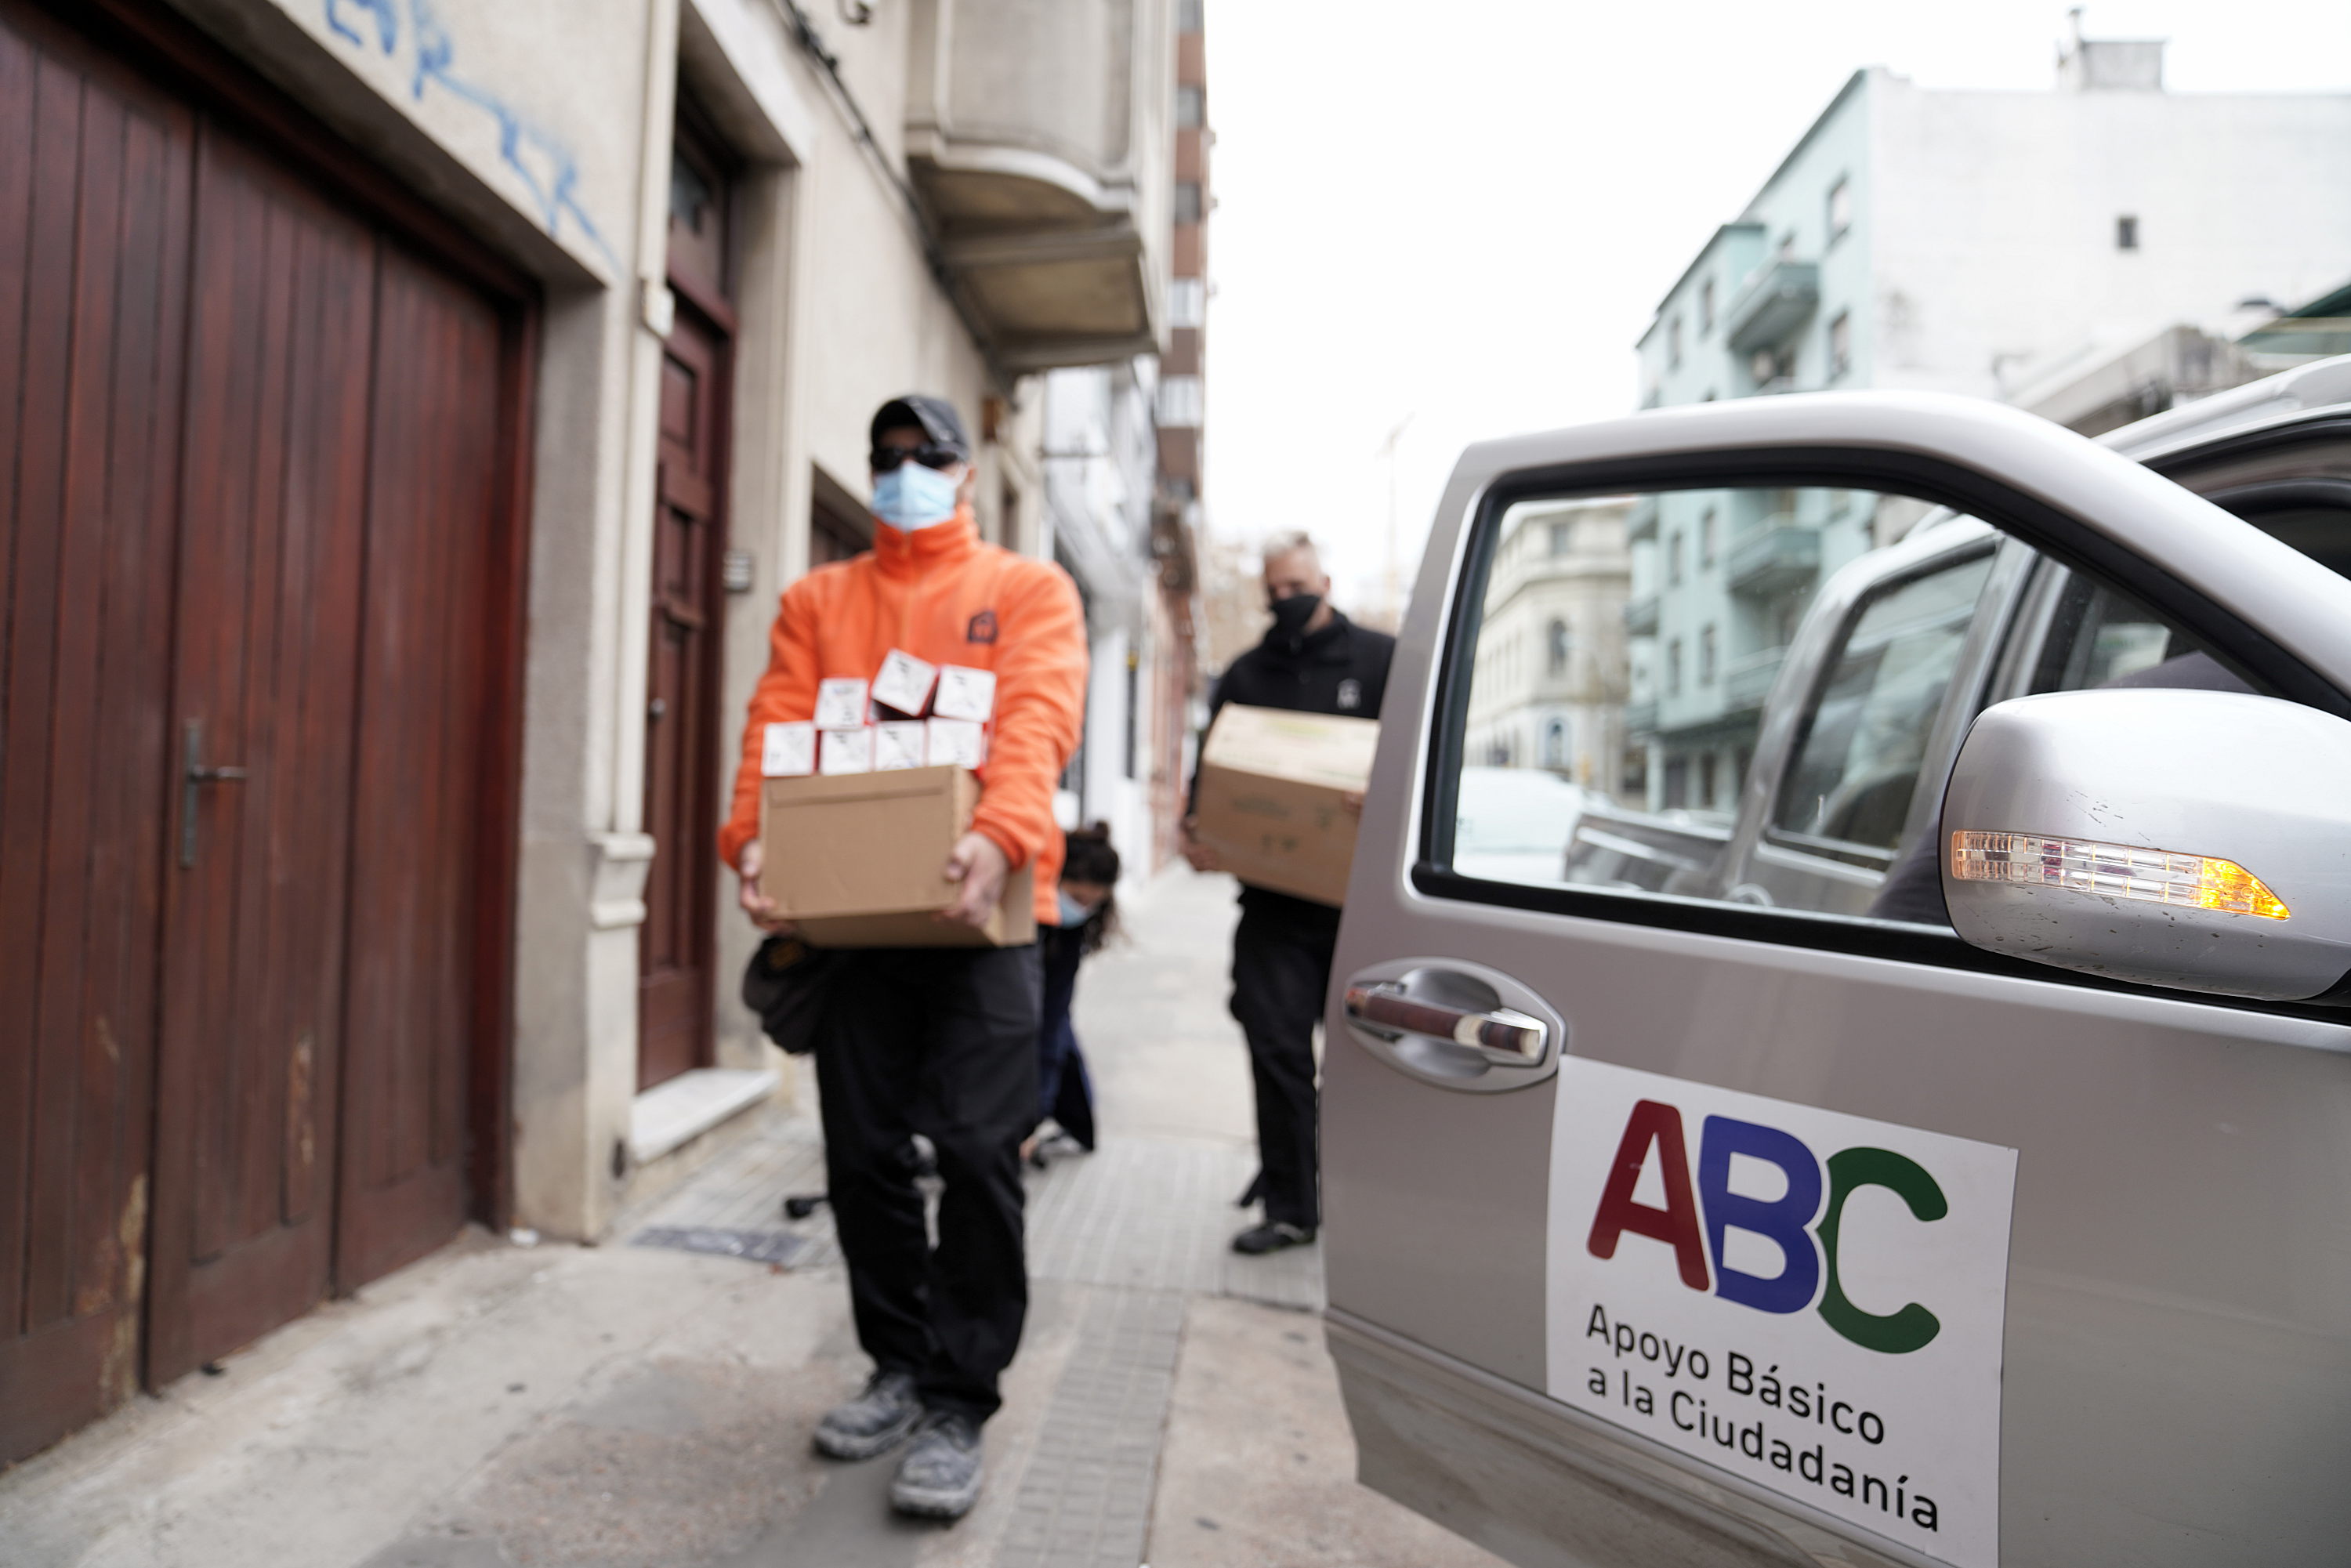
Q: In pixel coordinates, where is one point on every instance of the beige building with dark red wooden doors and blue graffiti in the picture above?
(424, 403)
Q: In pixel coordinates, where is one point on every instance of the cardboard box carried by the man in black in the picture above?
(1271, 798)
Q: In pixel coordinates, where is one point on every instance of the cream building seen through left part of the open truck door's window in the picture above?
(1550, 655)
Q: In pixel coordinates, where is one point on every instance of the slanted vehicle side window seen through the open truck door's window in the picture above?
(1866, 730)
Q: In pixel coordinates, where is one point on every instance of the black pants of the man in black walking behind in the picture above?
(1280, 977)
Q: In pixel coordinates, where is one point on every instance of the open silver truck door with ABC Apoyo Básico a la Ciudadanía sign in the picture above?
(1684, 1228)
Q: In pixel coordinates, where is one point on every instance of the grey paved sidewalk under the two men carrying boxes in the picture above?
(643, 1407)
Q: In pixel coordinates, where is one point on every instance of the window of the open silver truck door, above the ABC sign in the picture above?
(1753, 697)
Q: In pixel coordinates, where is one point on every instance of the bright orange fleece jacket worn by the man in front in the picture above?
(951, 601)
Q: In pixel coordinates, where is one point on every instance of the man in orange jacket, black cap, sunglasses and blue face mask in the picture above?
(932, 1040)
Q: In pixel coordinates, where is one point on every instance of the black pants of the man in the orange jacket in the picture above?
(937, 1043)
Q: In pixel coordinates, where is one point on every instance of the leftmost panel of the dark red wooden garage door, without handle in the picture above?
(95, 180)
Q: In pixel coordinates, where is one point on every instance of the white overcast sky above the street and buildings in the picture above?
(1463, 215)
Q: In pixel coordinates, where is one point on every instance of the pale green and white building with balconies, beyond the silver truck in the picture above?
(1983, 243)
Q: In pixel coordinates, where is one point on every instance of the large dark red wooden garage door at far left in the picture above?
(250, 490)
